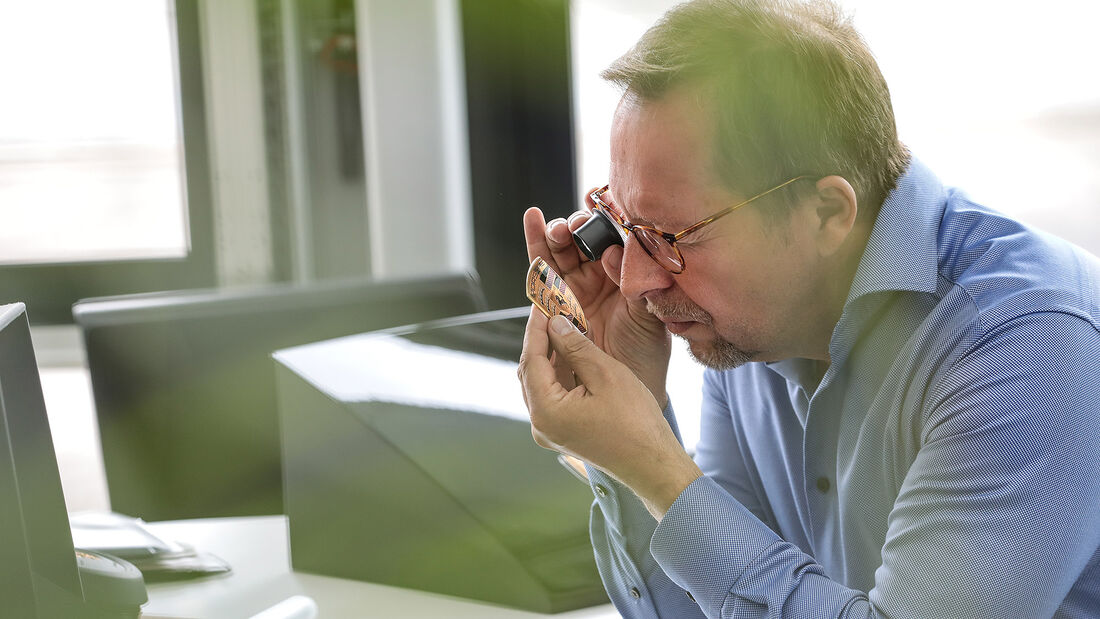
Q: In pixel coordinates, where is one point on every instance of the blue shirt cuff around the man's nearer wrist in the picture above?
(707, 540)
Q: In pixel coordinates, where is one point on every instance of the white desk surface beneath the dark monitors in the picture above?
(258, 550)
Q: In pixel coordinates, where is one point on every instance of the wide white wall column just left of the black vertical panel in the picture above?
(414, 125)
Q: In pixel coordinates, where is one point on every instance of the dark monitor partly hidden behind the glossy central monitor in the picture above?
(185, 386)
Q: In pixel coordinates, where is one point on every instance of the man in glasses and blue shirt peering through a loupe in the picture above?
(903, 404)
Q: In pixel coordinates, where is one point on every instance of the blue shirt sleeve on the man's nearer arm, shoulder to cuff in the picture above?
(997, 517)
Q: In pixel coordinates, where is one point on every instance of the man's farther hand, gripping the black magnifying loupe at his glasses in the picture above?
(622, 328)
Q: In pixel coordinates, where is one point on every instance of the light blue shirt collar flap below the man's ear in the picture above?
(901, 251)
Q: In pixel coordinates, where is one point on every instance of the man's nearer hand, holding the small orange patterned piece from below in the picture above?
(609, 419)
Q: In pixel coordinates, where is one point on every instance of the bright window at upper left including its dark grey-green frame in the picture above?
(94, 196)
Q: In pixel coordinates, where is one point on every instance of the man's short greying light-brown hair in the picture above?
(793, 87)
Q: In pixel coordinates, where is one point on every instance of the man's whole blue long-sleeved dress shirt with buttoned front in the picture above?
(945, 466)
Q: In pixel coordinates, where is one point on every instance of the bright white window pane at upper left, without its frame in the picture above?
(93, 145)
